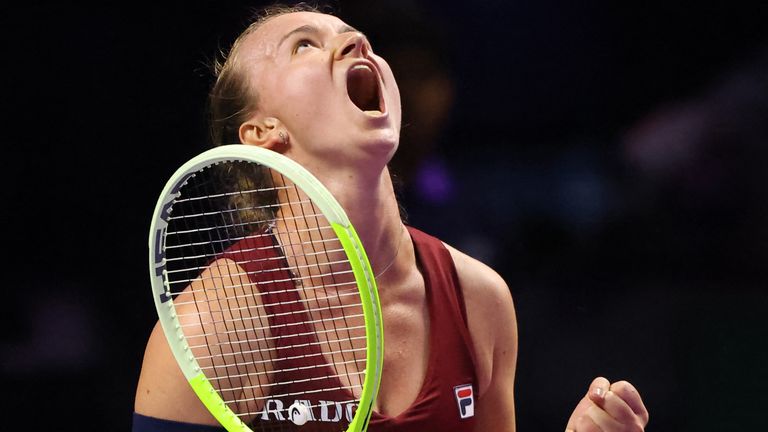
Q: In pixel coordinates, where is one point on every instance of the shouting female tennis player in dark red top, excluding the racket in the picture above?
(309, 86)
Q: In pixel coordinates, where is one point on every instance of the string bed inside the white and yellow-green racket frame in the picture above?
(279, 313)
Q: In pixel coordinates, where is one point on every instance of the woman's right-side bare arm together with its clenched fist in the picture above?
(493, 325)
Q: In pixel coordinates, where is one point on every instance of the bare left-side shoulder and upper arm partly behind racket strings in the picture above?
(163, 392)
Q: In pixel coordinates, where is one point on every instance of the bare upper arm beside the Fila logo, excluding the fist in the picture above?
(493, 325)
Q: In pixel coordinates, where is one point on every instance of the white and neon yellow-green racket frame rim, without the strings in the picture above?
(344, 230)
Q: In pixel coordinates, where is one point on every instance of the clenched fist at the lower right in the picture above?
(608, 407)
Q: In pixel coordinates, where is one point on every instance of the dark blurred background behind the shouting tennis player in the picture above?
(609, 160)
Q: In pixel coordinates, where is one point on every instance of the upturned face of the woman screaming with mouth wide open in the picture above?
(319, 77)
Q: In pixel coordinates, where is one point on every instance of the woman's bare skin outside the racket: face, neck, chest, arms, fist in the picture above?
(297, 64)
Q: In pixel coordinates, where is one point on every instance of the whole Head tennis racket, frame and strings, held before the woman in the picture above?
(265, 294)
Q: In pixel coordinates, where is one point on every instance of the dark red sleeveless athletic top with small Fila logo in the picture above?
(446, 401)
